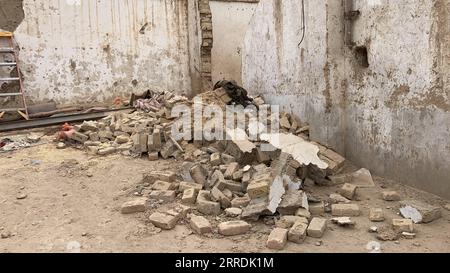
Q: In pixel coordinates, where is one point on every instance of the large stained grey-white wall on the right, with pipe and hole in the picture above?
(392, 117)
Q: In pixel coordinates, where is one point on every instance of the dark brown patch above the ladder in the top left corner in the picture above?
(11, 14)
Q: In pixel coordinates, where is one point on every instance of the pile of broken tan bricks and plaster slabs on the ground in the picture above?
(238, 178)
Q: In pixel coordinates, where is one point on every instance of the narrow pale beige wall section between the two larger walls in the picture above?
(230, 22)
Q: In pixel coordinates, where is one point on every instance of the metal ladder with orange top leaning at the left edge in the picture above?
(23, 111)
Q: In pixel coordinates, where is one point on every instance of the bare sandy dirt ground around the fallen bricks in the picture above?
(73, 200)
